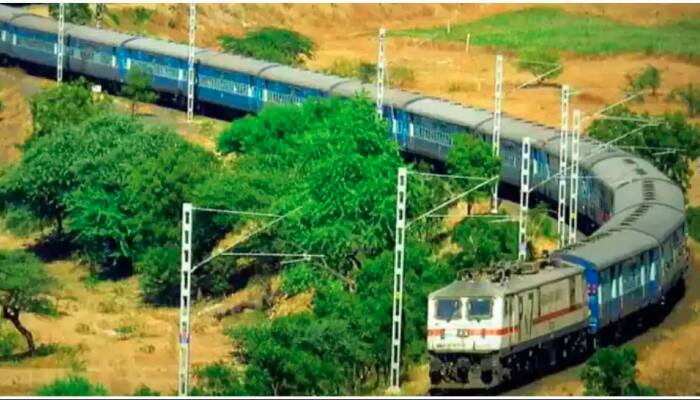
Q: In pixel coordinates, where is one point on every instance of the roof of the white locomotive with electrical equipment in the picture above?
(515, 284)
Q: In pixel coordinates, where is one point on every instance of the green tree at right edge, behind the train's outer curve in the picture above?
(673, 132)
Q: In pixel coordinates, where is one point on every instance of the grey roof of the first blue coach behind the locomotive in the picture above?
(609, 246)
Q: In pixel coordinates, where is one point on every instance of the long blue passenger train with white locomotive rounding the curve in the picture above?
(634, 260)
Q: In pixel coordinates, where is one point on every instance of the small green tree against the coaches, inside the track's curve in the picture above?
(471, 157)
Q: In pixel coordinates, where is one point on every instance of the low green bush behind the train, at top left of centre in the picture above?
(272, 44)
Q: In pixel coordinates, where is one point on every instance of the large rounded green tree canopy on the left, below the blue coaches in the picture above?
(113, 183)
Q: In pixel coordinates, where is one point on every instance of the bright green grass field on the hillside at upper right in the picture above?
(549, 28)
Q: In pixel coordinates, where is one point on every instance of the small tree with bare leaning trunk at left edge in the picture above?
(23, 287)
